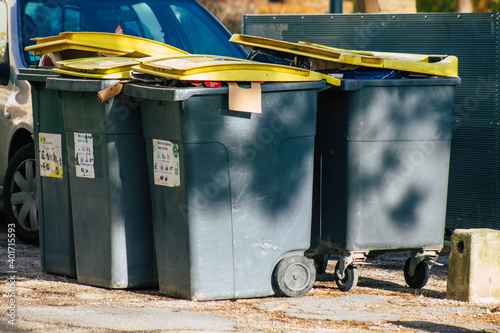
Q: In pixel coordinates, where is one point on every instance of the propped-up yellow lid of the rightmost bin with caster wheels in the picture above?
(416, 63)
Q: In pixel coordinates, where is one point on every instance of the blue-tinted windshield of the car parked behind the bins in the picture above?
(184, 24)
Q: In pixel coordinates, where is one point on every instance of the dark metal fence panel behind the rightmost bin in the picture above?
(474, 193)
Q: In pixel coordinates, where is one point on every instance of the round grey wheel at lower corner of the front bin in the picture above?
(294, 276)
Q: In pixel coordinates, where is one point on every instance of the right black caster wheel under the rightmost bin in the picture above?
(416, 269)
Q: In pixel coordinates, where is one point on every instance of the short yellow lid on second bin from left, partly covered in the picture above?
(97, 67)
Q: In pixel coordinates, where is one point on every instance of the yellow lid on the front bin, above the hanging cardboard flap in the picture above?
(215, 68)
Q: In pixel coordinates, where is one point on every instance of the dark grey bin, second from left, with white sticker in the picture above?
(110, 203)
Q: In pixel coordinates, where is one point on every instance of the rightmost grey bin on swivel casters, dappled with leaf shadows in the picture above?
(381, 172)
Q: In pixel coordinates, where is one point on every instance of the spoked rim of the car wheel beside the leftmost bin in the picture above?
(23, 196)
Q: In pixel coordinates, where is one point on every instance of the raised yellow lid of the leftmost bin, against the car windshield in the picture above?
(101, 42)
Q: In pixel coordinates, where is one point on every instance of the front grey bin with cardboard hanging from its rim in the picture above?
(231, 191)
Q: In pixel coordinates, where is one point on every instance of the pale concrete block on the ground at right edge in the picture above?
(474, 266)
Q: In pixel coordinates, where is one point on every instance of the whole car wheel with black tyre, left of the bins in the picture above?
(19, 195)
